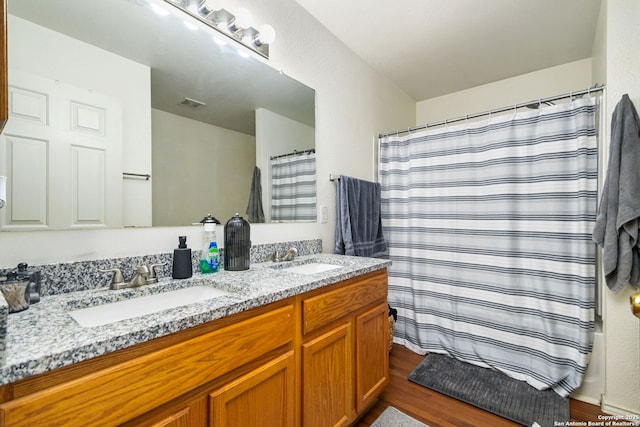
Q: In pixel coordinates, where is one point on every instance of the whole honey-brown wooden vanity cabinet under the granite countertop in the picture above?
(317, 359)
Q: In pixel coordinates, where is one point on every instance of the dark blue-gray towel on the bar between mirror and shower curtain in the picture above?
(359, 220)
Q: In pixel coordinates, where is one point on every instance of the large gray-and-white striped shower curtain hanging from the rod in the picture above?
(489, 230)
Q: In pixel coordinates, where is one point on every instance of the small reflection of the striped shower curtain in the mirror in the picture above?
(293, 188)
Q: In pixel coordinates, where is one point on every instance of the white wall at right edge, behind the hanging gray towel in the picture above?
(621, 328)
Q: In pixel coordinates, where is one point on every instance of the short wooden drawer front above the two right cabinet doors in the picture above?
(323, 309)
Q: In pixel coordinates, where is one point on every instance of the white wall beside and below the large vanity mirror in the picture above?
(353, 105)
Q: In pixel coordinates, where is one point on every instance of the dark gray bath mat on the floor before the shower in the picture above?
(491, 390)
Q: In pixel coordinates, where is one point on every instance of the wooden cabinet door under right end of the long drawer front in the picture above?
(263, 397)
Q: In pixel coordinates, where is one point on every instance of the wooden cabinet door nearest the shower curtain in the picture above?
(372, 355)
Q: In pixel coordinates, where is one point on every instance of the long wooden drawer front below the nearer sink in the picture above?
(114, 395)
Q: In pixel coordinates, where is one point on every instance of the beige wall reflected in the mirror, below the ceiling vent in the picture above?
(198, 169)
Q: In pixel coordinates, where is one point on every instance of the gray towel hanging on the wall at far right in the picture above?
(617, 223)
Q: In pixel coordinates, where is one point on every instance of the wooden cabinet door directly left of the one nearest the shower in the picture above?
(327, 366)
